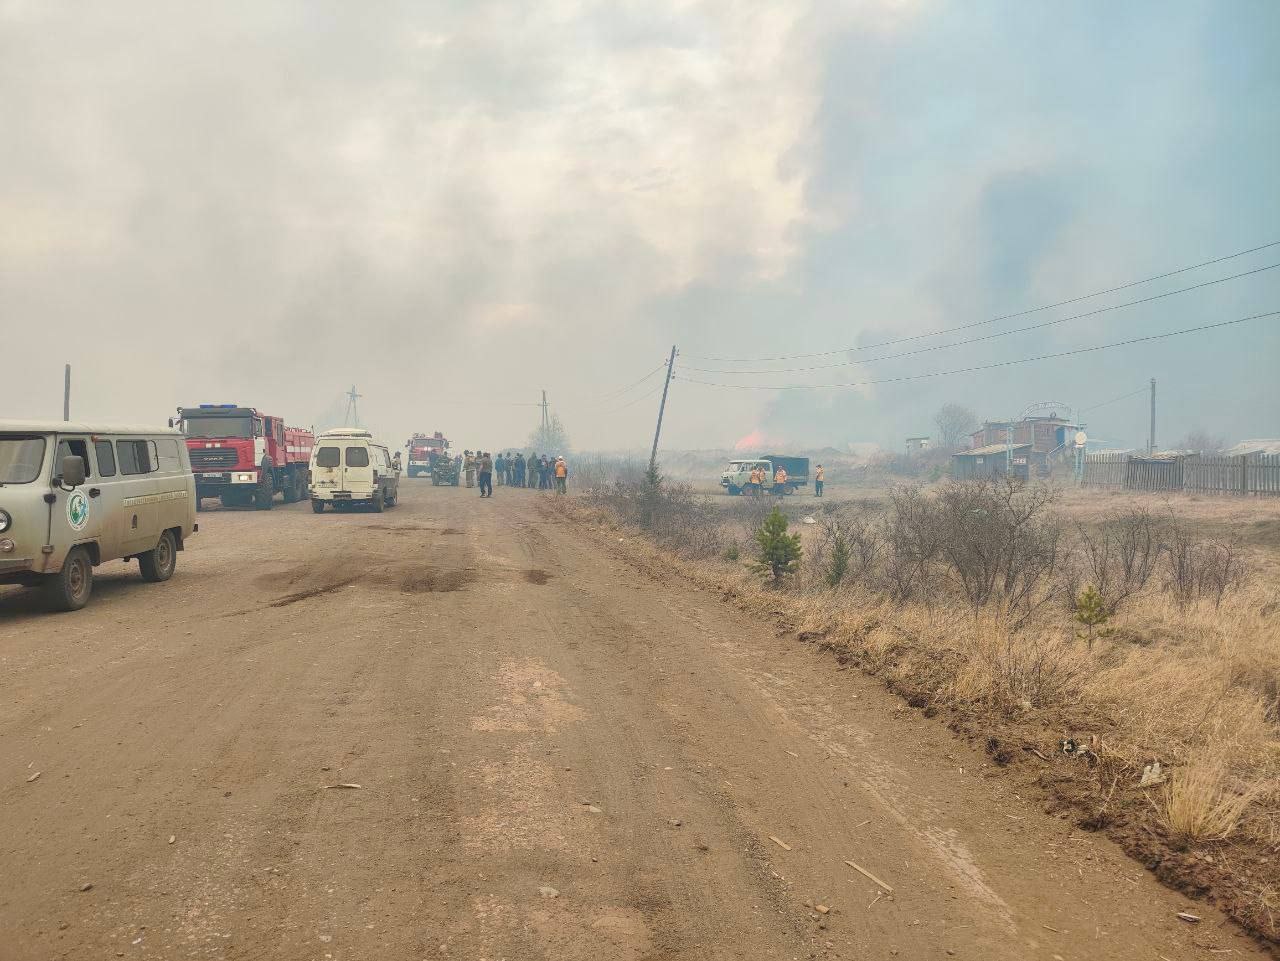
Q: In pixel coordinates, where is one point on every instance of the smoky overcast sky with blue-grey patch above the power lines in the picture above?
(456, 205)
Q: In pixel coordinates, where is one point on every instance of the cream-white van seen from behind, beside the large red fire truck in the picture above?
(350, 468)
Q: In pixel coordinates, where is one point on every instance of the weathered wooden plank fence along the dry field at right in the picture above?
(1249, 474)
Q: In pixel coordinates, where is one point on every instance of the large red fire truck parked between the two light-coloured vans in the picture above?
(244, 457)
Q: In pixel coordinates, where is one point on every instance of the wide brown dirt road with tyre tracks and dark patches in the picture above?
(559, 758)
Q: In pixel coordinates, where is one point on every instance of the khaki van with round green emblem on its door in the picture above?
(76, 496)
